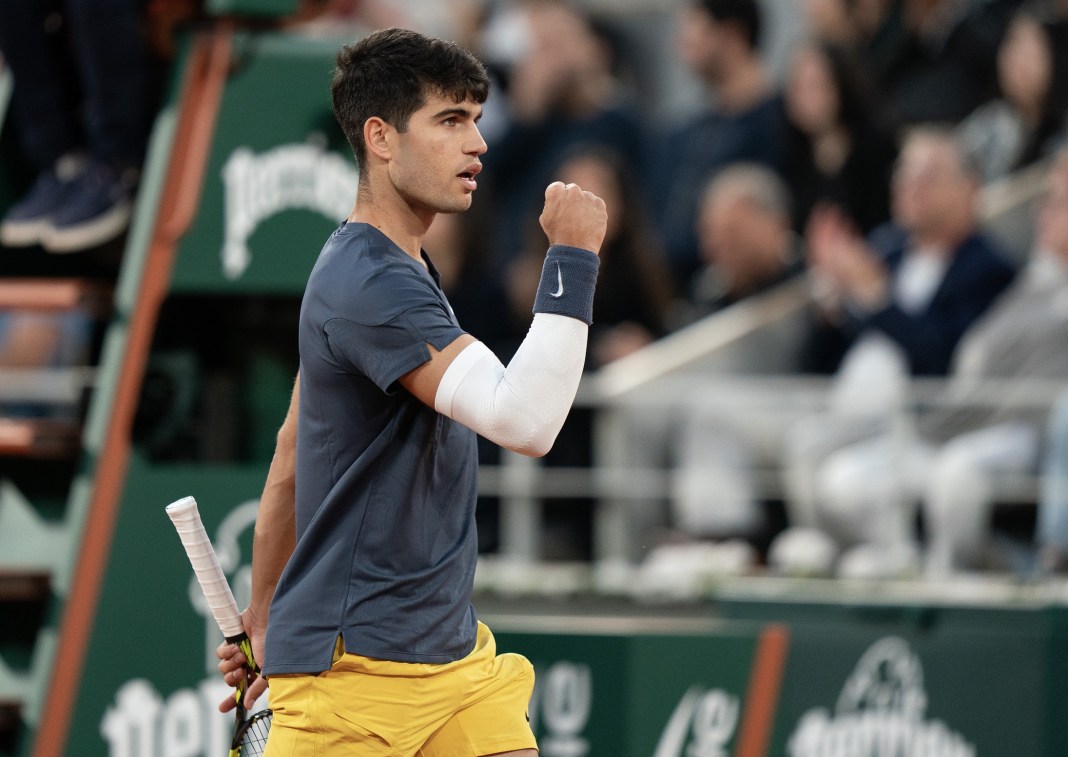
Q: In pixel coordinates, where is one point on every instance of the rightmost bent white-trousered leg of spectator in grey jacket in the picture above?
(961, 493)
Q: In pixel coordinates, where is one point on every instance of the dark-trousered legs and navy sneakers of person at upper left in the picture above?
(84, 104)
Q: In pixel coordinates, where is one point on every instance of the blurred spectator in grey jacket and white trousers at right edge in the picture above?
(952, 460)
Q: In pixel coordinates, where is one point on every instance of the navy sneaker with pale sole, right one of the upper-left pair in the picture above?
(97, 209)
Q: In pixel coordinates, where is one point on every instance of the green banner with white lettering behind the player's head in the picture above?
(280, 177)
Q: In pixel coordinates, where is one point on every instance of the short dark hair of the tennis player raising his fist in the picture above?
(391, 73)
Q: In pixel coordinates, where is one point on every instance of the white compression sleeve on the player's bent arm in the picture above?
(522, 407)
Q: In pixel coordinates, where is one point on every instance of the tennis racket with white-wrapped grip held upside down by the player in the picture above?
(250, 732)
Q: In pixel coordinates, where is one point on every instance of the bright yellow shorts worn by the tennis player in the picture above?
(362, 706)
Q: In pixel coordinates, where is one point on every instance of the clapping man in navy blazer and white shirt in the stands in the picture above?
(899, 303)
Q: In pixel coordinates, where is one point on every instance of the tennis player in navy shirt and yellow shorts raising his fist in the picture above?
(373, 646)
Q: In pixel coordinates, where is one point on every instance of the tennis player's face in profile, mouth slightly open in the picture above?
(436, 161)
